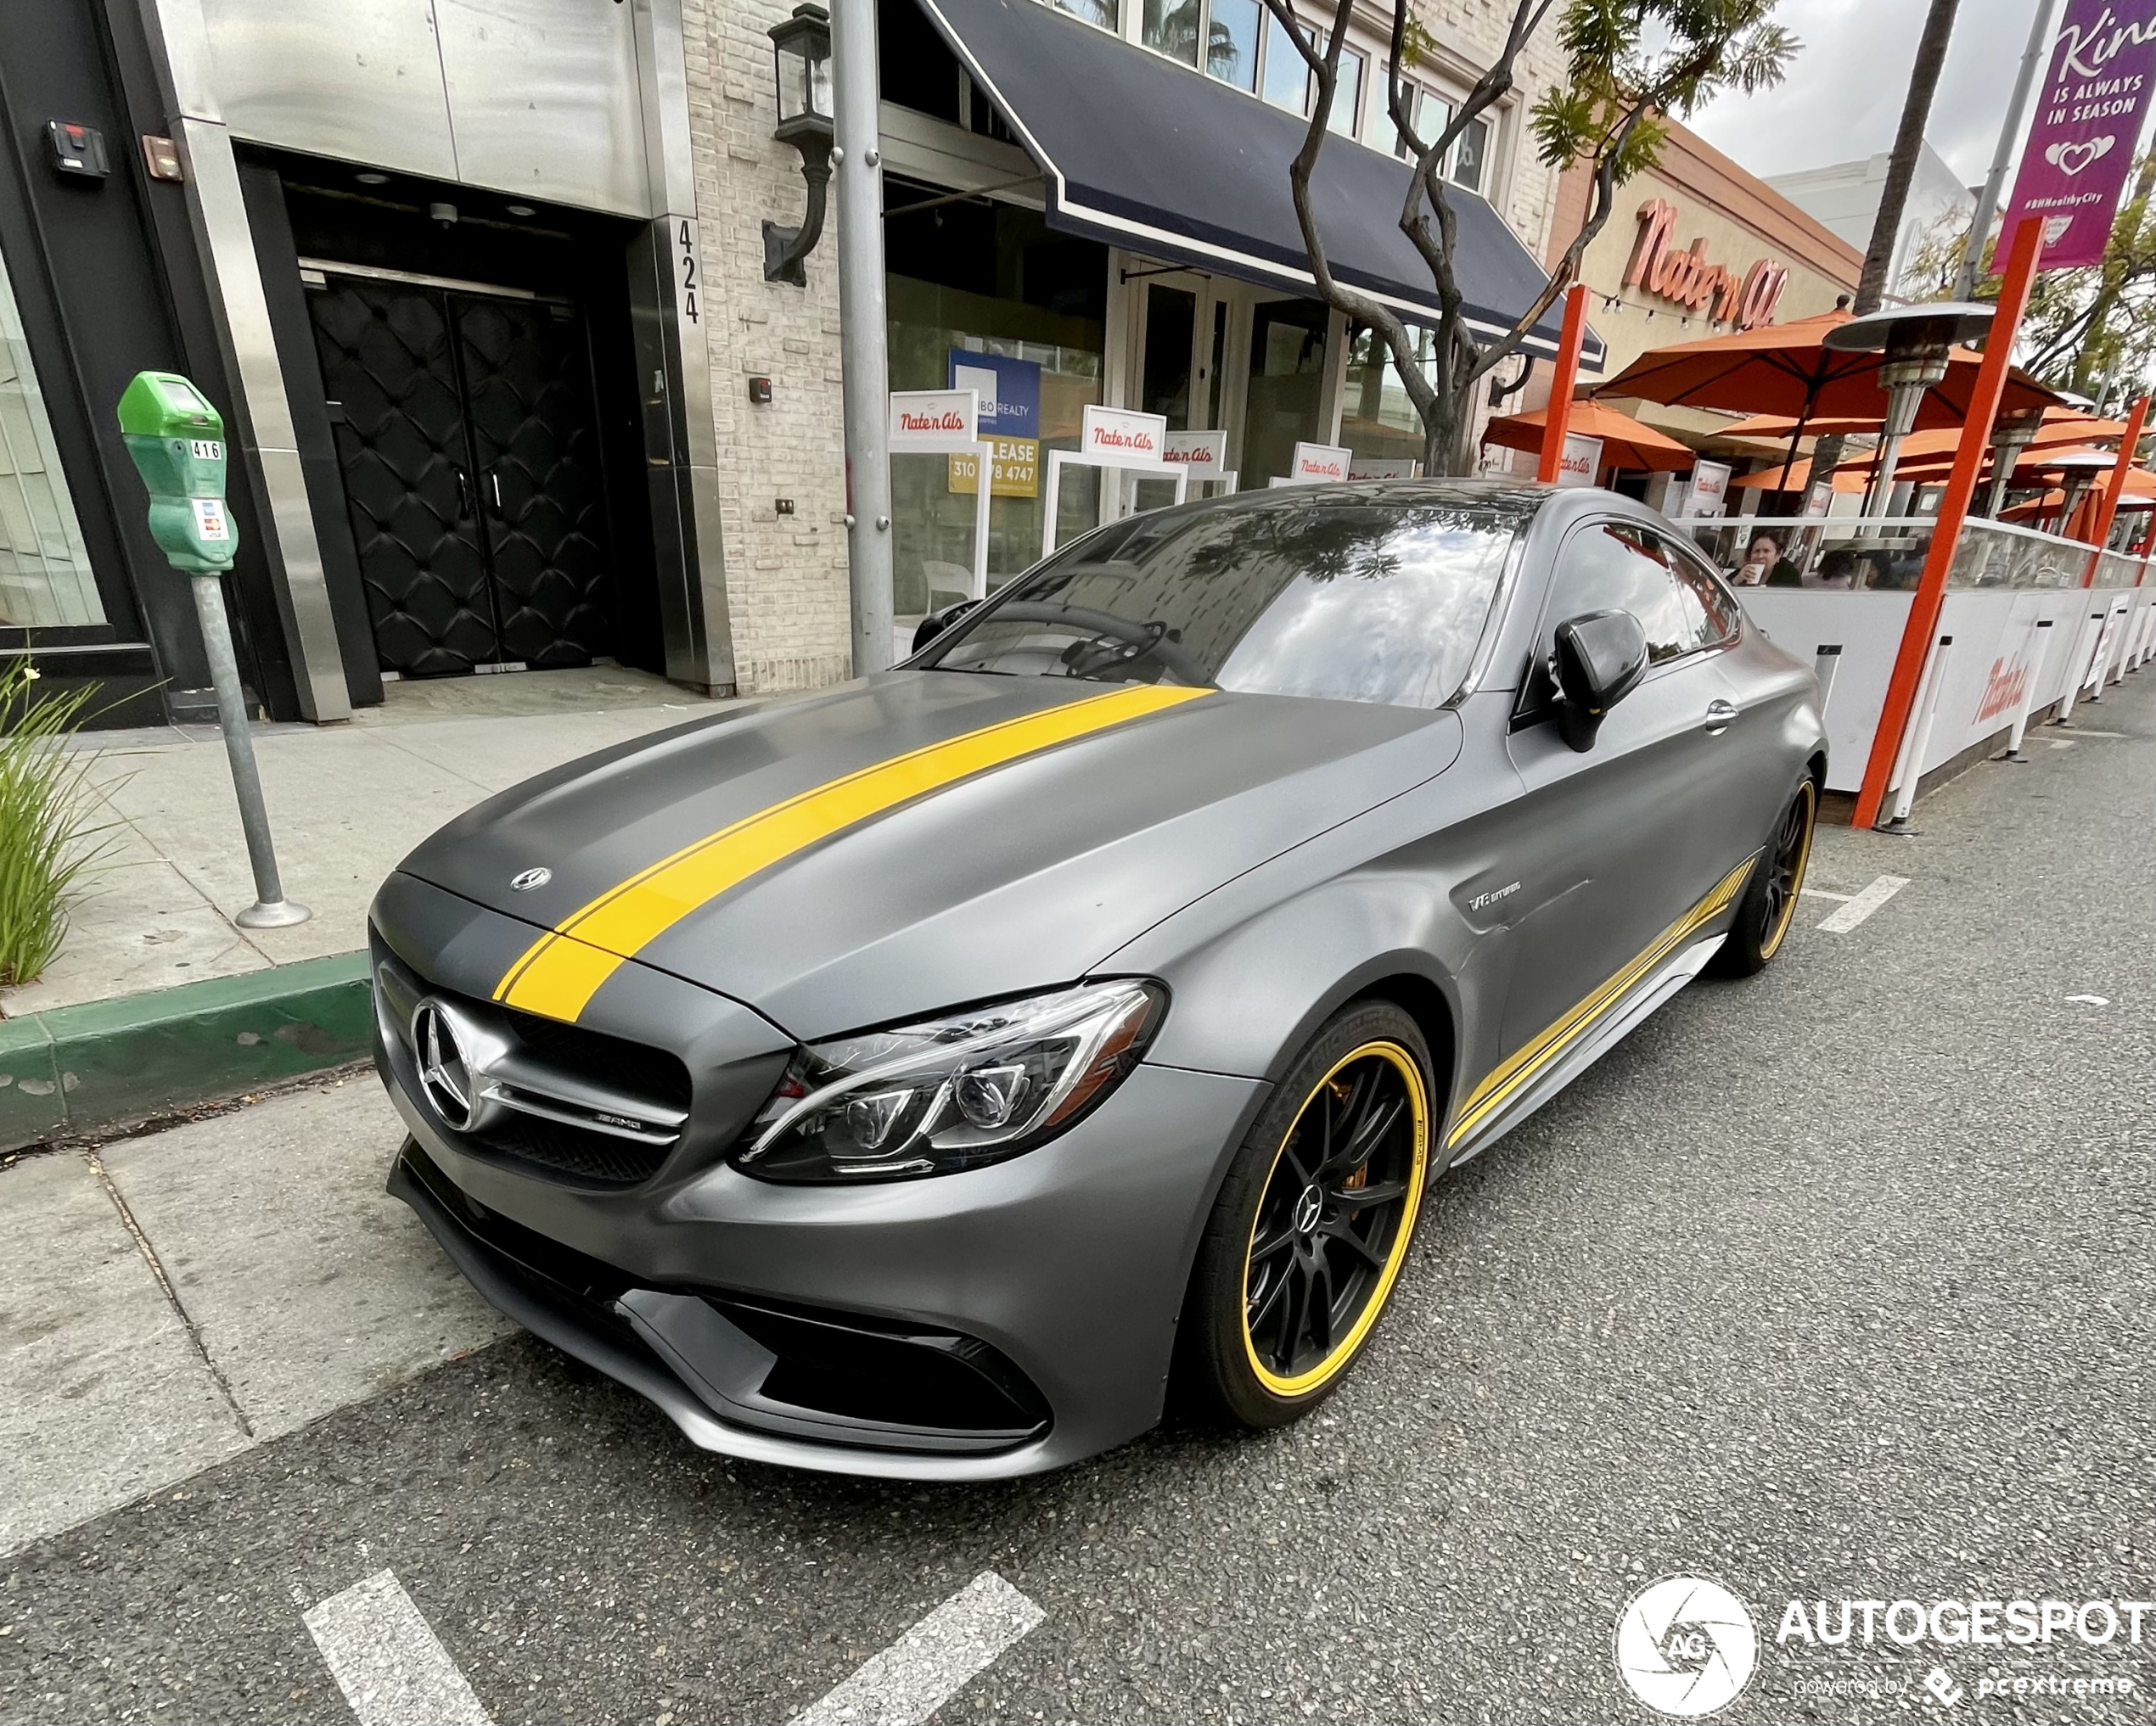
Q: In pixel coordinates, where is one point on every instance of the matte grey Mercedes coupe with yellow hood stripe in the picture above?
(935, 1076)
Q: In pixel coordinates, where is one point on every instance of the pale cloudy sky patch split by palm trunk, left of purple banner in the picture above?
(1844, 92)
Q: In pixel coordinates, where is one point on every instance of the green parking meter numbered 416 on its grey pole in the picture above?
(178, 445)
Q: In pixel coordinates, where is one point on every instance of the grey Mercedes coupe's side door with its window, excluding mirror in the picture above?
(1614, 839)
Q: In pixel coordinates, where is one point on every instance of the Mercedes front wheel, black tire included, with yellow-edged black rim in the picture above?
(1282, 1229)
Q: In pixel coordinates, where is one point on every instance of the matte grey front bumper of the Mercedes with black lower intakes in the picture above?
(1053, 1279)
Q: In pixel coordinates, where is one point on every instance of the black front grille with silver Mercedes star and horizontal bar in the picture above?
(562, 1102)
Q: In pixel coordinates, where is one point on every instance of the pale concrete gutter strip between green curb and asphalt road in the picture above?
(193, 1294)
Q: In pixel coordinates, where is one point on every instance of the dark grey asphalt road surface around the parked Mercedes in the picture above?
(1836, 1283)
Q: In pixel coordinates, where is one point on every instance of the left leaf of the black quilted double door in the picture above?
(389, 367)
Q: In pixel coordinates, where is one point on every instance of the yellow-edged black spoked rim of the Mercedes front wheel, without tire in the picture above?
(1362, 1135)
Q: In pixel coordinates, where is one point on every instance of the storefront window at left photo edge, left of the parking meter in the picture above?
(44, 568)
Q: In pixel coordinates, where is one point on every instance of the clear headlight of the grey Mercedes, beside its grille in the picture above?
(952, 1094)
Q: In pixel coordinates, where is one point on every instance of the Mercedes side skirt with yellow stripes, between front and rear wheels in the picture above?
(1594, 1027)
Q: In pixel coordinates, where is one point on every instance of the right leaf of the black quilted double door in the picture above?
(542, 488)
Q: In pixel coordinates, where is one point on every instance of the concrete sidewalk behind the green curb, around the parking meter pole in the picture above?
(346, 805)
